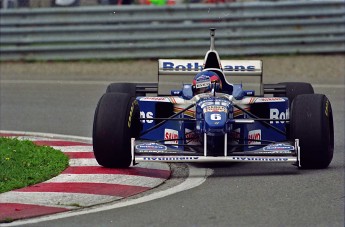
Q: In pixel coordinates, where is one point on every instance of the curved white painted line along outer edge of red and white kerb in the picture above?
(196, 177)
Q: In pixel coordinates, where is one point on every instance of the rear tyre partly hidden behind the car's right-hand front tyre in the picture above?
(296, 88)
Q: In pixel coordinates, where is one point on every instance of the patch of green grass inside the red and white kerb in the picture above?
(22, 163)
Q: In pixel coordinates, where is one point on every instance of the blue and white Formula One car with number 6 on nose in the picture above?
(212, 120)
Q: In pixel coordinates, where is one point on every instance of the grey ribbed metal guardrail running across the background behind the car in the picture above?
(134, 31)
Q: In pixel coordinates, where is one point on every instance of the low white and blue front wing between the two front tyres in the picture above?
(144, 151)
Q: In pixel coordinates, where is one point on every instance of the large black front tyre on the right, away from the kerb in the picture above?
(312, 123)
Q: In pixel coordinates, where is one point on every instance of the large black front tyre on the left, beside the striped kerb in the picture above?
(116, 120)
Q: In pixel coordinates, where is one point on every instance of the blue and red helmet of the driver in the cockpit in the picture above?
(204, 81)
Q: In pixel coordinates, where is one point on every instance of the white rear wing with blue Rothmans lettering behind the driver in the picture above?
(169, 71)
